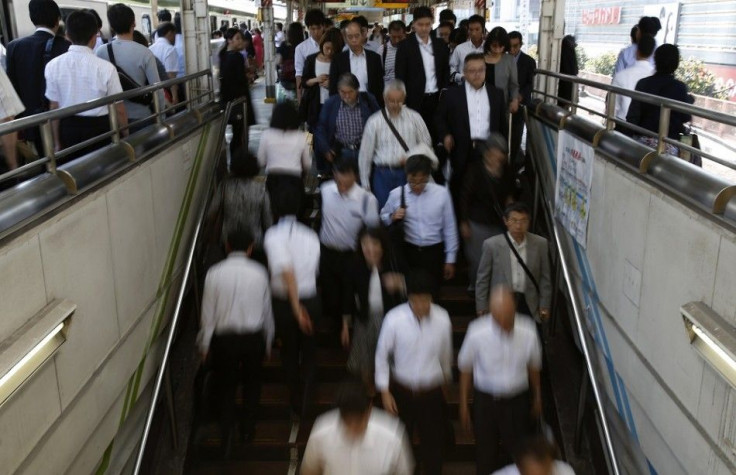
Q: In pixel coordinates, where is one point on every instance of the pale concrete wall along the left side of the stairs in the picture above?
(106, 253)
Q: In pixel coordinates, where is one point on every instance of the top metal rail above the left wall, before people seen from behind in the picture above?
(38, 119)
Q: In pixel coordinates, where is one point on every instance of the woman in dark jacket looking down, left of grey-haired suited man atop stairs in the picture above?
(316, 77)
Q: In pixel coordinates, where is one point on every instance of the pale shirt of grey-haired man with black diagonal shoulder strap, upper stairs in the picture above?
(381, 147)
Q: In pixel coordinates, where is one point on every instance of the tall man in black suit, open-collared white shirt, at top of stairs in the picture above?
(423, 63)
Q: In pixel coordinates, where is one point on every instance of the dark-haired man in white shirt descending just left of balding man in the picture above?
(417, 336)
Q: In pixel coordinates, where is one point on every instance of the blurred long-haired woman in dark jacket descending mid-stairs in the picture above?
(373, 288)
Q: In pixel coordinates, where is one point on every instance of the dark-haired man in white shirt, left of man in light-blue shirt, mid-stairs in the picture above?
(346, 209)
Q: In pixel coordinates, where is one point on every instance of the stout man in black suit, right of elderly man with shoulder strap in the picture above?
(461, 128)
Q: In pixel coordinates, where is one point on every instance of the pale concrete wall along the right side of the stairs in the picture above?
(648, 254)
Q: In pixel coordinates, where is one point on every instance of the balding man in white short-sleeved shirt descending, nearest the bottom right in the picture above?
(501, 357)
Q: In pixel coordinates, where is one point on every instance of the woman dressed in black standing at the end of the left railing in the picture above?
(234, 84)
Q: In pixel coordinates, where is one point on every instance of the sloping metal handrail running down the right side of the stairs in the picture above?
(580, 328)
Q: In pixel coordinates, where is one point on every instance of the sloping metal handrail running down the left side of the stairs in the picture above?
(179, 302)
